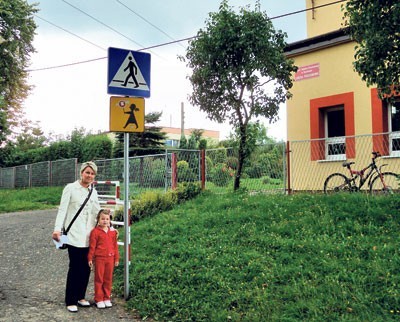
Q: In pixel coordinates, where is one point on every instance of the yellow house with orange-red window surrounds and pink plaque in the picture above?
(333, 116)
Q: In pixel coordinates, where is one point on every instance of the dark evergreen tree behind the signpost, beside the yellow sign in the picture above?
(151, 141)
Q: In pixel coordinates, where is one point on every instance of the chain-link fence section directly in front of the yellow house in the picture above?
(312, 161)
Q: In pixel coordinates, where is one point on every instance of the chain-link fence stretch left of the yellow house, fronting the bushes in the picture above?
(263, 170)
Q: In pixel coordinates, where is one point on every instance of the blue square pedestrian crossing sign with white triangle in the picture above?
(128, 72)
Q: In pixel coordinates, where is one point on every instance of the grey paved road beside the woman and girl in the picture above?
(33, 273)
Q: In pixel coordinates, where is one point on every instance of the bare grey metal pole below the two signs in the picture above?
(126, 216)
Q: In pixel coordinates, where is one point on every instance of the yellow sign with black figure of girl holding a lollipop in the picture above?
(126, 114)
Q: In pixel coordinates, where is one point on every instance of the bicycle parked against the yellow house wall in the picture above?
(378, 181)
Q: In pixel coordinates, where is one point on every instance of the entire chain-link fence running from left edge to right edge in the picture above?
(279, 167)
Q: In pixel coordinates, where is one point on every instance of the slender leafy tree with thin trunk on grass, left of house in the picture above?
(233, 60)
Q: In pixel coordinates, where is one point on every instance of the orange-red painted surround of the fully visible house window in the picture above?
(317, 125)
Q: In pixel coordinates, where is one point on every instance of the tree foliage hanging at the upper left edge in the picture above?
(17, 29)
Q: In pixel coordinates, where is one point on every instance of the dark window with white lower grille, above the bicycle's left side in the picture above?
(335, 144)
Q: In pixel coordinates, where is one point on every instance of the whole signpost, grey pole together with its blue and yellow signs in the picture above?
(128, 75)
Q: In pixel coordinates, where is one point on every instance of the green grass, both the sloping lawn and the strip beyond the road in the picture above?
(235, 257)
